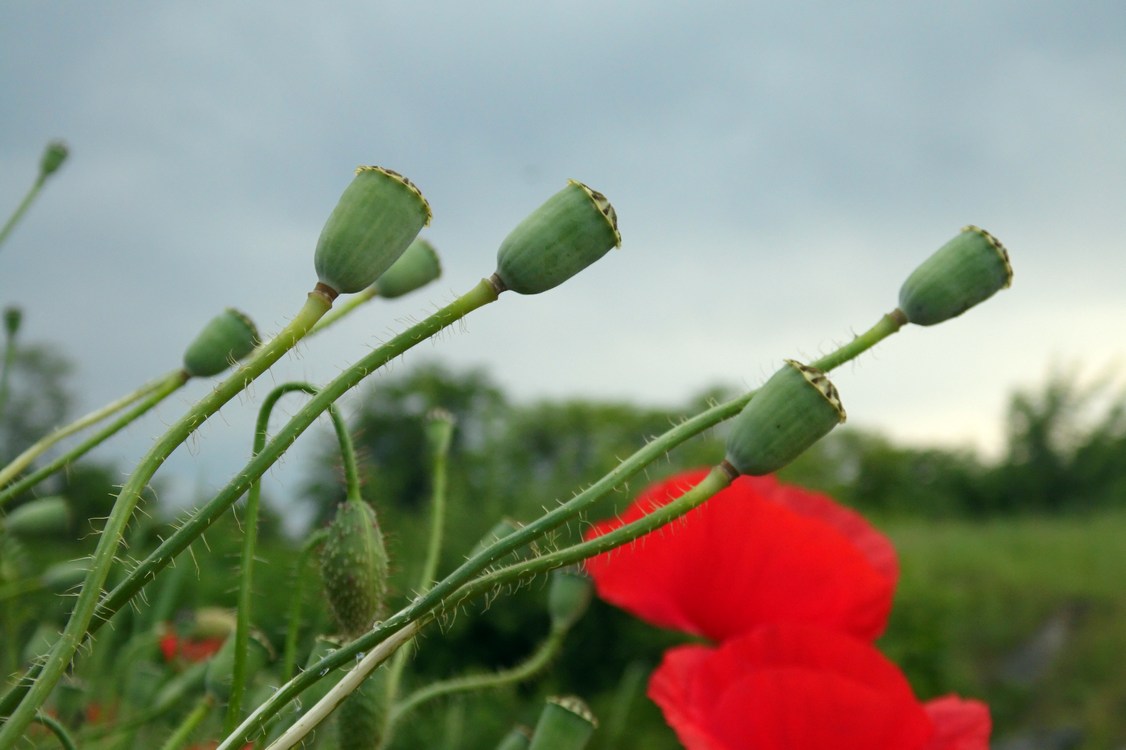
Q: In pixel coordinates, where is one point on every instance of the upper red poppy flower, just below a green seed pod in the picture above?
(757, 552)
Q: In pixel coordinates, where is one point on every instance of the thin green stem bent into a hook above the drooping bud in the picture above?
(251, 539)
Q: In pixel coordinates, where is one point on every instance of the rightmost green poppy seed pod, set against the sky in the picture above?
(969, 270)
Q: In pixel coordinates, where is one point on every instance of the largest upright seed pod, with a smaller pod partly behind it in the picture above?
(379, 216)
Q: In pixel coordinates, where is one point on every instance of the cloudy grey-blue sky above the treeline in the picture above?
(778, 169)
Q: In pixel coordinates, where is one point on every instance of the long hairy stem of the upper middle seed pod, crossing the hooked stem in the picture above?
(481, 296)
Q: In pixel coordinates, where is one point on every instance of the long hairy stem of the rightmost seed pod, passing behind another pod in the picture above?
(625, 471)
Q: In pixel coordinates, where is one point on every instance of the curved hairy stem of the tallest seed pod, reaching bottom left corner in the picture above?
(78, 627)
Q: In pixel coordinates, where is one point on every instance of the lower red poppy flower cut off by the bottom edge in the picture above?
(794, 687)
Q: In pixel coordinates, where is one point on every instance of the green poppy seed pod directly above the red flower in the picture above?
(792, 412)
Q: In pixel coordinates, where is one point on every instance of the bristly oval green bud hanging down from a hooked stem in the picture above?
(354, 567)
